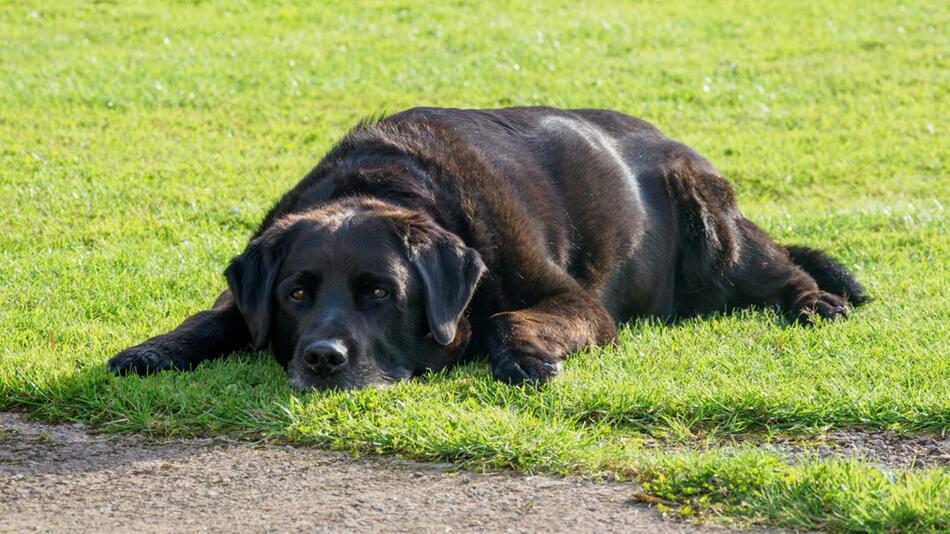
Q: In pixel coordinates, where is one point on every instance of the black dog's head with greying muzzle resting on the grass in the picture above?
(357, 293)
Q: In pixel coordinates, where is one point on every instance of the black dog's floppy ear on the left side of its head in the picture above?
(251, 276)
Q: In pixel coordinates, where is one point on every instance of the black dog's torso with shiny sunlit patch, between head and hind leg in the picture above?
(583, 189)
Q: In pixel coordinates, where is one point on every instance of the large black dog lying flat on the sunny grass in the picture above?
(524, 233)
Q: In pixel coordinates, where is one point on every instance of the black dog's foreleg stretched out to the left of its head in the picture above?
(205, 335)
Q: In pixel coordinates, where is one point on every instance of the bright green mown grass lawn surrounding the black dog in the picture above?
(140, 145)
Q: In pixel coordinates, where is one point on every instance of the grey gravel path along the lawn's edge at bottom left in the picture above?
(58, 478)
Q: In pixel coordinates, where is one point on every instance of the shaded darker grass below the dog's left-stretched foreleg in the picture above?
(246, 395)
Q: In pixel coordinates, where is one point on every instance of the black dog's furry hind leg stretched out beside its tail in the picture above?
(728, 262)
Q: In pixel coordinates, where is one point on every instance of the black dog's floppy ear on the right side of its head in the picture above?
(449, 272)
